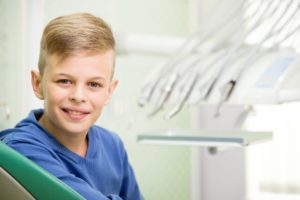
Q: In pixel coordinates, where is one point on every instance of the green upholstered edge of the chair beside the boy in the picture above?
(37, 181)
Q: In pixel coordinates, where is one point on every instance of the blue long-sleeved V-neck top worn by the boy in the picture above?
(104, 173)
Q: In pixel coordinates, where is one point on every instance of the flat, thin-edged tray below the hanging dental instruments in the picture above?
(210, 138)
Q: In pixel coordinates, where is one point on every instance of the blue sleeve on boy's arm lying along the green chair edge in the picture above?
(44, 158)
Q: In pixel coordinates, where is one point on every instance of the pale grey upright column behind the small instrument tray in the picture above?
(208, 166)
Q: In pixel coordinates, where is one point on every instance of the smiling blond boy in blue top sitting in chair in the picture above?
(75, 81)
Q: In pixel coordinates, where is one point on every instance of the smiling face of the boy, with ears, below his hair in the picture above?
(74, 91)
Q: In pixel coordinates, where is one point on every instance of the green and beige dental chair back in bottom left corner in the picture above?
(21, 179)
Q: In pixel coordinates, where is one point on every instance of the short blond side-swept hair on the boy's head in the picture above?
(75, 33)
